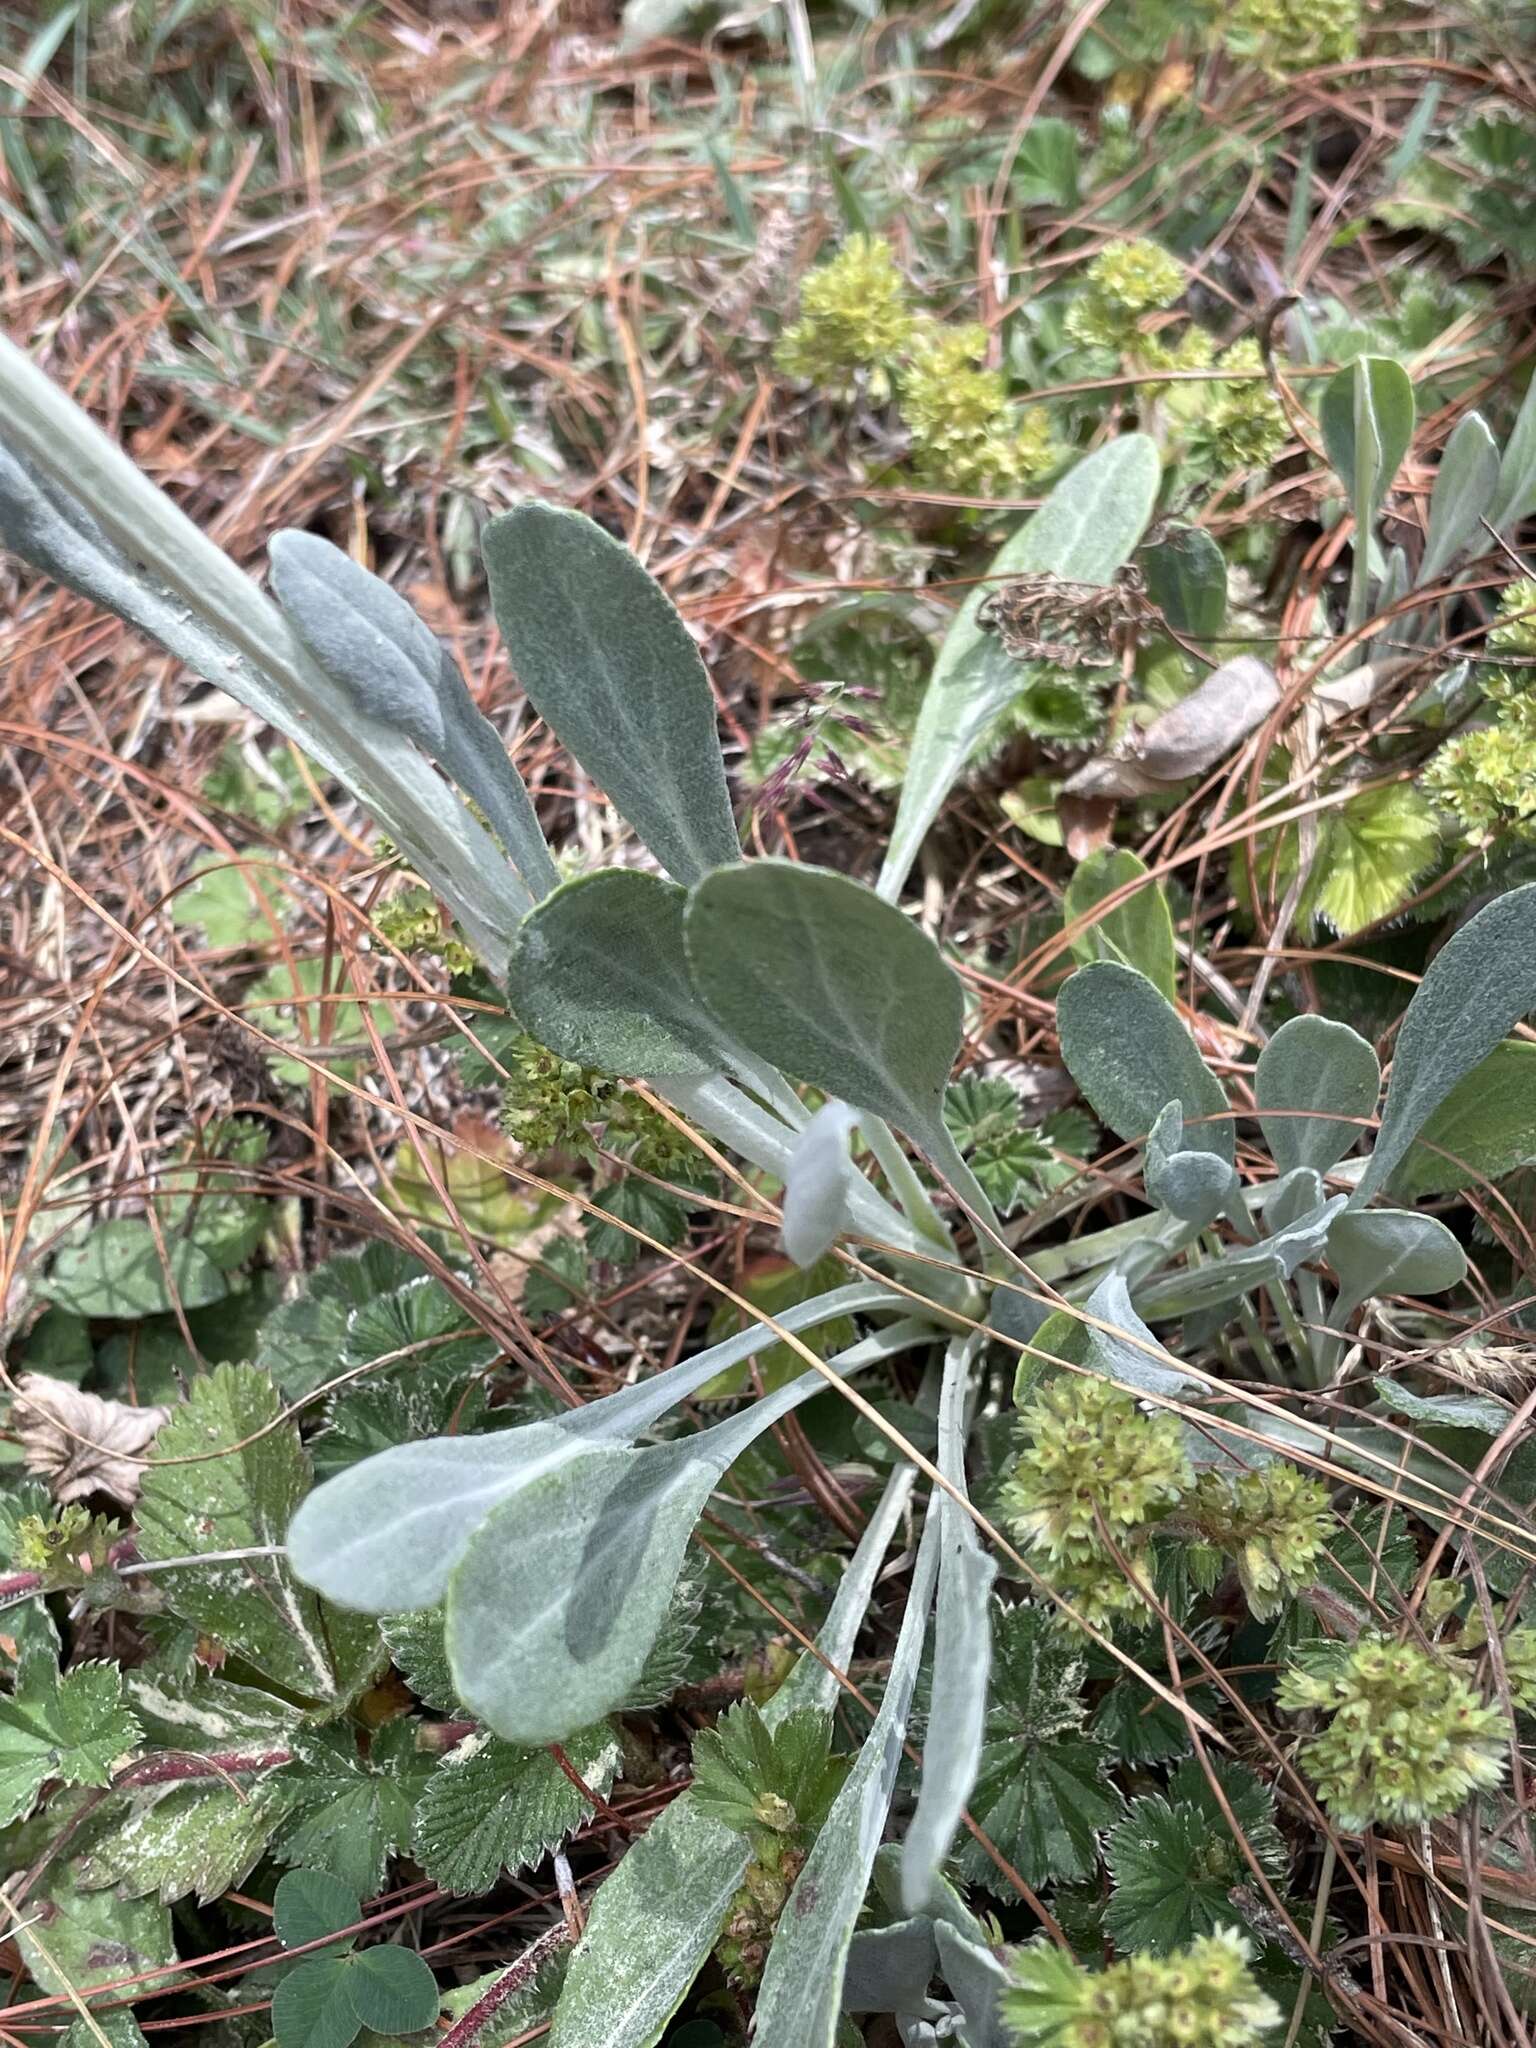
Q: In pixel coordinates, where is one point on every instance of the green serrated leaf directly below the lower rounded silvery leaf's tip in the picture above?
(493, 1807)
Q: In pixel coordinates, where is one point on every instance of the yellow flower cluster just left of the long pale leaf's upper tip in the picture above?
(964, 429)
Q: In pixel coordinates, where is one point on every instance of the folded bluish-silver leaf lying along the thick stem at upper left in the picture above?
(372, 644)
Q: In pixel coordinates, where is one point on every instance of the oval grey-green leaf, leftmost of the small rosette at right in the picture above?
(1129, 1052)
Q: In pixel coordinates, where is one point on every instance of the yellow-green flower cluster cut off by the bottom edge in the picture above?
(1203, 1996)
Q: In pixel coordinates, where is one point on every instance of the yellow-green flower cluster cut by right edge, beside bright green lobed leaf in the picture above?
(1488, 777)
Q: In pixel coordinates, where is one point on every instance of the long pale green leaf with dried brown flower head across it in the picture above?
(1084, 531)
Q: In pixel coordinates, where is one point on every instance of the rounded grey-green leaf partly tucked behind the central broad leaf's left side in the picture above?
(599, 974)
